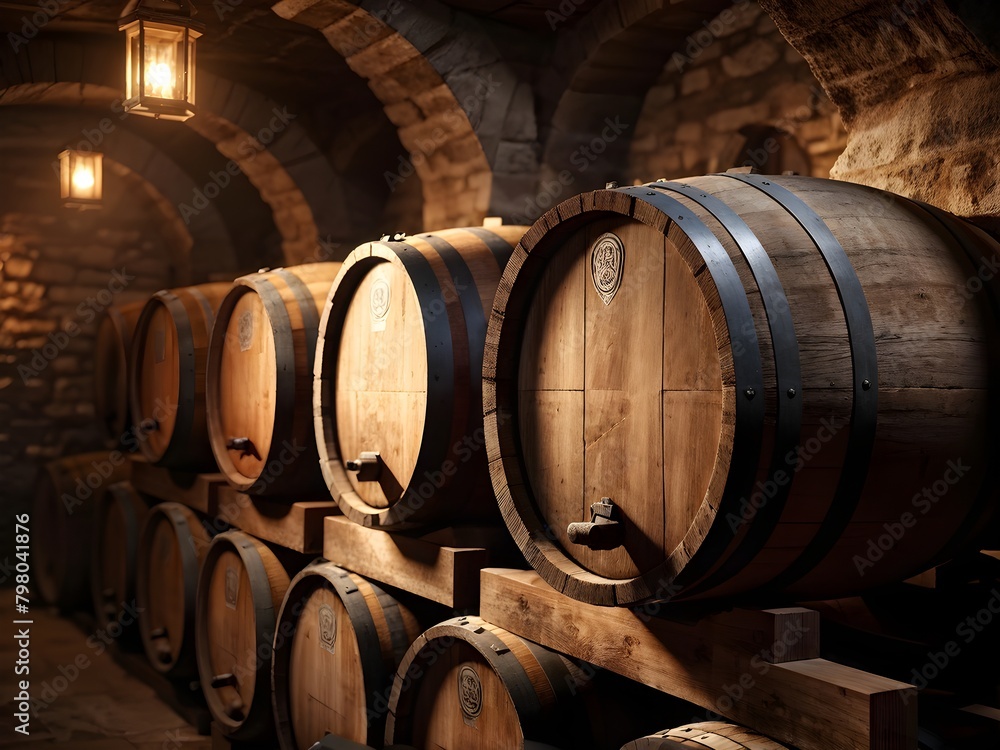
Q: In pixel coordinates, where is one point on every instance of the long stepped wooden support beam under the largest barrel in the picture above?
(759, 668)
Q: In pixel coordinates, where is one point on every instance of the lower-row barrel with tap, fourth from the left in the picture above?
(240, 589)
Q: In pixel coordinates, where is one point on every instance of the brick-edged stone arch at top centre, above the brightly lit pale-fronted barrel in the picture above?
(432, 78)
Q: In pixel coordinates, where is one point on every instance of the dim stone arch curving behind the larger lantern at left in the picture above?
(232, 118)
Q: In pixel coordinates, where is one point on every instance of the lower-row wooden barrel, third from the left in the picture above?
(172, 544)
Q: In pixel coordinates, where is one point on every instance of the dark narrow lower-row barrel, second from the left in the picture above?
(118, 518)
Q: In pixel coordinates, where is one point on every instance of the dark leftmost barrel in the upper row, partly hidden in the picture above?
(114, 339)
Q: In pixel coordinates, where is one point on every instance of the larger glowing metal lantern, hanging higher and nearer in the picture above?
(160, 57)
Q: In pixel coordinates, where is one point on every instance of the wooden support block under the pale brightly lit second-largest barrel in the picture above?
(443, 567)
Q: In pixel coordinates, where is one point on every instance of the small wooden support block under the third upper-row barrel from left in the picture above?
(297, 526)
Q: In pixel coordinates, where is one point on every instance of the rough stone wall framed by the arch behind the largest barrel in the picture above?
(737, 84)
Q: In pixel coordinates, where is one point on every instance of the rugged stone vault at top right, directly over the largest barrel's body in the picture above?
(916, 89)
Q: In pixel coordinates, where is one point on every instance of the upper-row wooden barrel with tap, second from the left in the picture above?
(167, 376)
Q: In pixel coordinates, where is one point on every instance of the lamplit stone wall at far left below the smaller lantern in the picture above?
(59, 269)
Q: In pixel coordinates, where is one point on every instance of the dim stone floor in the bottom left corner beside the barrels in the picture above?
(91, 702)
